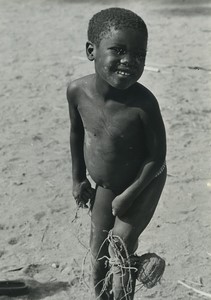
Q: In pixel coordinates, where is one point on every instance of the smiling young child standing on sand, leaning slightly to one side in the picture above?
(118, 136)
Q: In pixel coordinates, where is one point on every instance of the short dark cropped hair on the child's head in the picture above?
(100, 24)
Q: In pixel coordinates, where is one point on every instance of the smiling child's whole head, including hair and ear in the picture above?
(117, 45)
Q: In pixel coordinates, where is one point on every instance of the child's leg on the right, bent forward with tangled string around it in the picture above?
(127, 229)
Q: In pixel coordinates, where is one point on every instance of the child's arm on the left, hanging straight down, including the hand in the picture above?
(82, 190)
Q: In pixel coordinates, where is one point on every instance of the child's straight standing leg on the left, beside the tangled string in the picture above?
(102, 222)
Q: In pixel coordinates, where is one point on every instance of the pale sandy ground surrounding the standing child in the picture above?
(42, 48)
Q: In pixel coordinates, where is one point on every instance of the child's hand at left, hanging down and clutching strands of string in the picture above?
(83, 192)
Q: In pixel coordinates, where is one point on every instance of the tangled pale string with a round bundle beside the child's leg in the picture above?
(148, 268)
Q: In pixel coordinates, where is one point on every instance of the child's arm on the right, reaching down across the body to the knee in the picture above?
(156, 145)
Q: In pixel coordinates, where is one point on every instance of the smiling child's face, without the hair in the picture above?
(120, 57)
